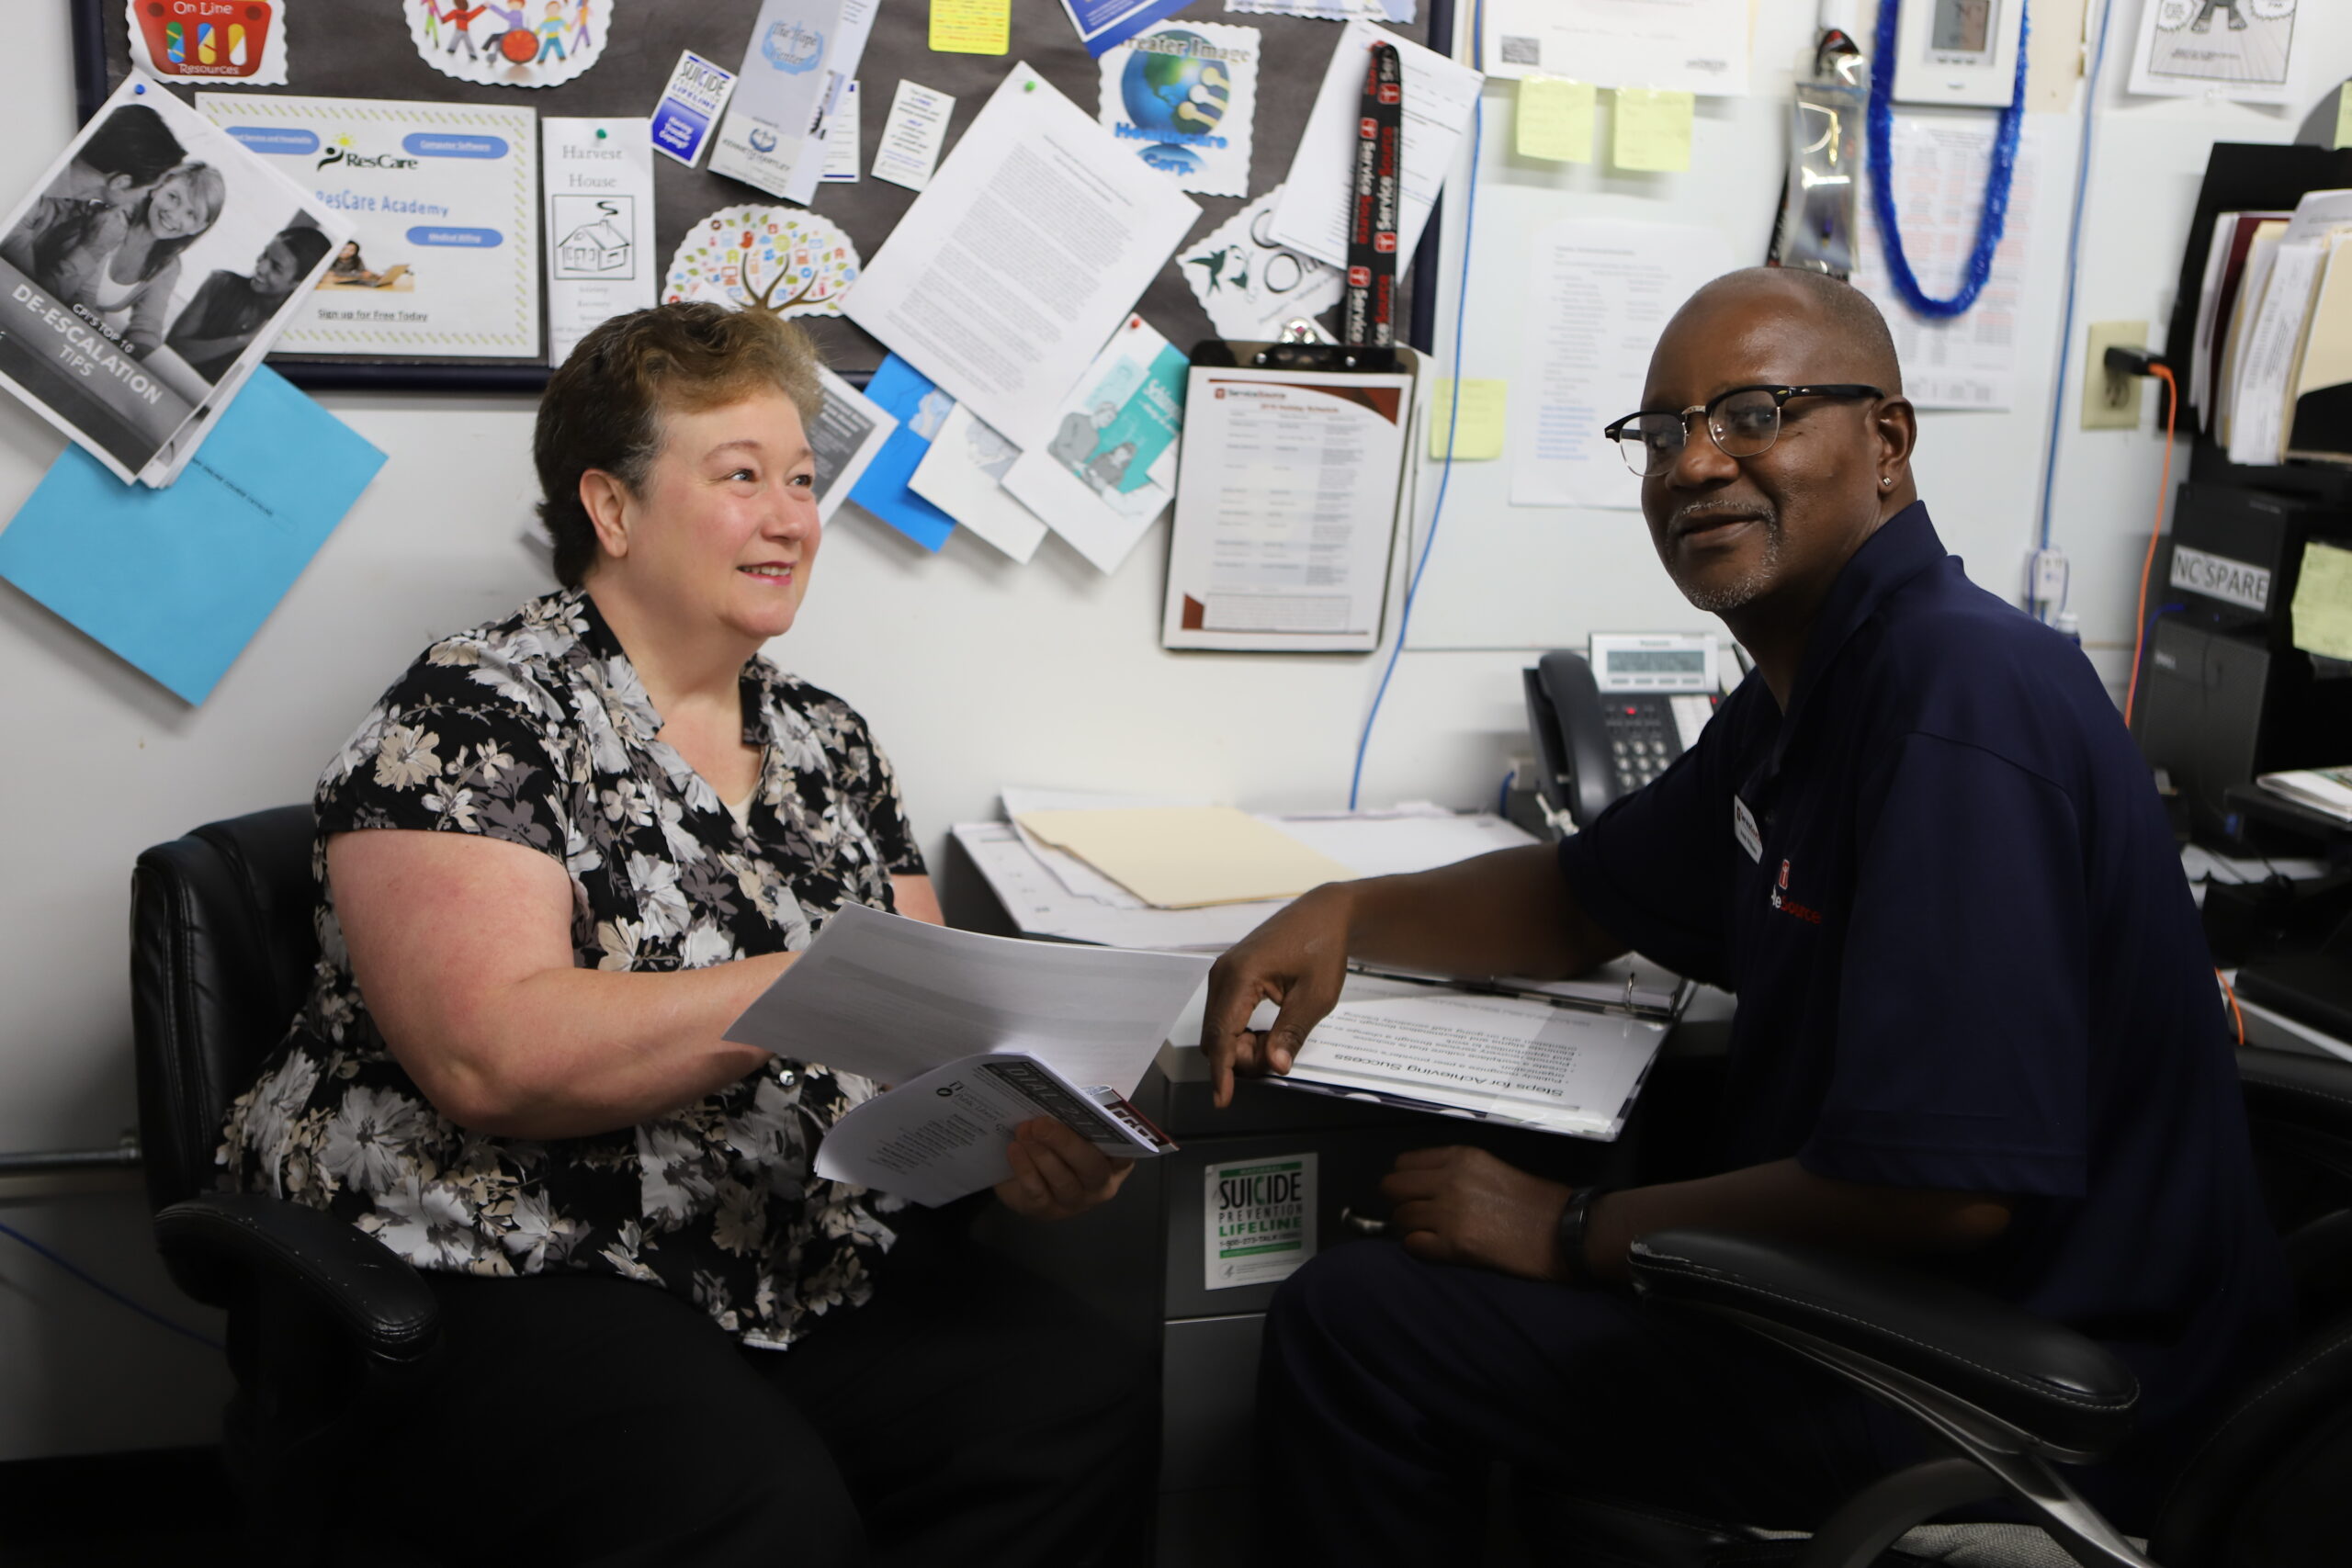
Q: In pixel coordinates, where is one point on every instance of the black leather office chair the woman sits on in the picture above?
(323, 1322)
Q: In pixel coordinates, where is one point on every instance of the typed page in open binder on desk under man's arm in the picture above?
(1511, 1059)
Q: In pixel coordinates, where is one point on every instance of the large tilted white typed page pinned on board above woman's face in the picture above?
(1022, 257)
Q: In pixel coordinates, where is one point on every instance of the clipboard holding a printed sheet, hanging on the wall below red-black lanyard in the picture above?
(1288, 495)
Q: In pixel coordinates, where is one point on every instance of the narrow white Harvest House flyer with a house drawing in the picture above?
(601, 225)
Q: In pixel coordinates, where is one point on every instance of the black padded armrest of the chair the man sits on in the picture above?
(2045, 1381)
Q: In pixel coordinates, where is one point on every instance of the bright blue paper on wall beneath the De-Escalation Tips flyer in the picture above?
(180, 579)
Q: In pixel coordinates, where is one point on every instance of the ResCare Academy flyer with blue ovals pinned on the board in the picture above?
(446, 210)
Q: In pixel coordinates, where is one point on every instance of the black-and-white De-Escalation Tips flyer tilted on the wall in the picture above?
(152, 267)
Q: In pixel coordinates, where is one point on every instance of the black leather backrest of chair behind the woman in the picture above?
(222, 953)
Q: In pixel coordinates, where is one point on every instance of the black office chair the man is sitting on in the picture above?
(2010, 1393)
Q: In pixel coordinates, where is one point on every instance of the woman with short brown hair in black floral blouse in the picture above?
(556, 862)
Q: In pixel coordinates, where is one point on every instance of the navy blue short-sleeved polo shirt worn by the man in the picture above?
(1965, 958)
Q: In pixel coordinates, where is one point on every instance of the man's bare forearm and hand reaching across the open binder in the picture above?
(1497, 916)
